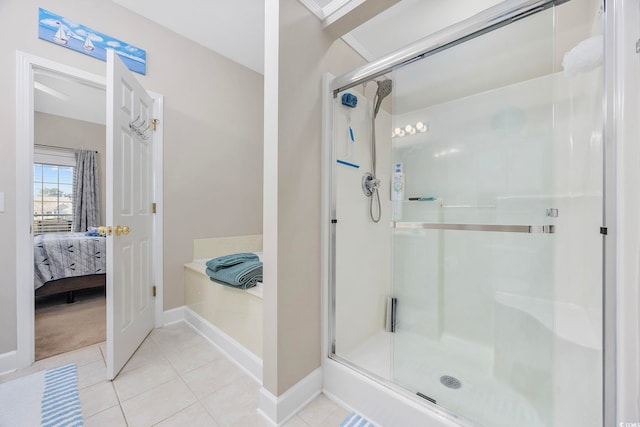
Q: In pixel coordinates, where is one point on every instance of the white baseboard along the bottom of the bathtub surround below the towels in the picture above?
(235, 351)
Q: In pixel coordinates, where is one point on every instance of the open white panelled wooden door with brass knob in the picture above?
(130, 304)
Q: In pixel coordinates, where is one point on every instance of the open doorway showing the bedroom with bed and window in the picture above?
(69, 180)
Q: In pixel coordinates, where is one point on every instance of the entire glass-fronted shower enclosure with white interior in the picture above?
(479, 290)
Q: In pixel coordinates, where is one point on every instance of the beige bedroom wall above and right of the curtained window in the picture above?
(49, 129)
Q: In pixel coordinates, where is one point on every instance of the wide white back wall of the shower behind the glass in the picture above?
(528, 305)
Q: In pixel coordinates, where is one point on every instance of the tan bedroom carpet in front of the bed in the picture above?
(62, 327)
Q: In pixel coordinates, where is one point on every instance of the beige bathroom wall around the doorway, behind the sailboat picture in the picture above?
(212, 134)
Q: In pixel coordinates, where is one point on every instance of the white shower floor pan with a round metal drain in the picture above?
(420, 365)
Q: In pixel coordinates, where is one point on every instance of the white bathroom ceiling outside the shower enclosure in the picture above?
(235, 28)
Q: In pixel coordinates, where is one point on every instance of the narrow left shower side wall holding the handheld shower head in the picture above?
(363, 248)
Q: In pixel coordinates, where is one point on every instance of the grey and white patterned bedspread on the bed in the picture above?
(60, 255)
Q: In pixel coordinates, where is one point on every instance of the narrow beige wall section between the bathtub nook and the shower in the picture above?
(292, 340)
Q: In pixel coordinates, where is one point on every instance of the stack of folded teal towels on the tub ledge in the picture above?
(241, 270)
